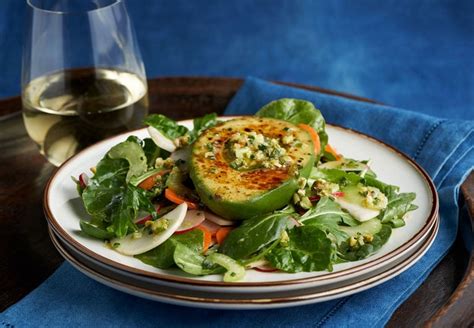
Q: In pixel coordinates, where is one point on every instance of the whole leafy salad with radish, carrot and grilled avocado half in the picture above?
(264, 192)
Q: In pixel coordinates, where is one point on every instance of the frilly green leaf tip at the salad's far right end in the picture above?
(398, 205)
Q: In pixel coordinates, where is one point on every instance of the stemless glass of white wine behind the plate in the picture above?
(83, 78)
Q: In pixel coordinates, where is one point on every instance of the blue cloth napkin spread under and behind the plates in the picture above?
(443, 147)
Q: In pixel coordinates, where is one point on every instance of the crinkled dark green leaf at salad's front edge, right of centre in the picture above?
(308, 249)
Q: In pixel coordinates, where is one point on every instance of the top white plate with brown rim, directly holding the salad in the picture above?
(64, 209)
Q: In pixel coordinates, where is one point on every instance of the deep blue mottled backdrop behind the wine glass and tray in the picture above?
(413, 54)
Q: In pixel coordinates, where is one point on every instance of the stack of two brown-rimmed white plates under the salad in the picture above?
(63, 209)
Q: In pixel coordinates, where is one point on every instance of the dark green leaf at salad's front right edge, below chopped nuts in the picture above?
(347, 253)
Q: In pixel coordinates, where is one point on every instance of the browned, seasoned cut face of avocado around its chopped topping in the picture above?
(218, 175)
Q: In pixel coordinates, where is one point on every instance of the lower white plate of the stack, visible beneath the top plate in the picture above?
(242, 301)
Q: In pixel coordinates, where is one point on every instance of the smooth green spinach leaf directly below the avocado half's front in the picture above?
(254, 235)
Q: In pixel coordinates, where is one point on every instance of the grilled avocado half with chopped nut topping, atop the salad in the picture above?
(256, 176)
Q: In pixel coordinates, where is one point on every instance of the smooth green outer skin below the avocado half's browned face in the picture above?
(264, 203)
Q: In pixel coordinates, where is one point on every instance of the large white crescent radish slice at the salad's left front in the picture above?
(129, 245)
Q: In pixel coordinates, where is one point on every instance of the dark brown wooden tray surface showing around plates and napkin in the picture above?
(446, 298)
